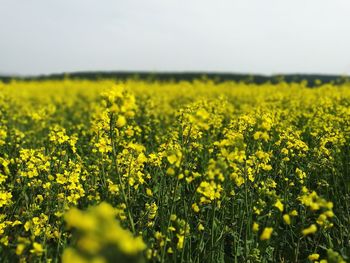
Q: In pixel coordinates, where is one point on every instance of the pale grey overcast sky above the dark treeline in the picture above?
(234, 36)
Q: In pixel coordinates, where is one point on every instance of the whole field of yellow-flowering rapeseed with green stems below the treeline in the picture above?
(135, 171)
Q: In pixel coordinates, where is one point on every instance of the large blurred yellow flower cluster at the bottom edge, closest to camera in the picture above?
(100, 238)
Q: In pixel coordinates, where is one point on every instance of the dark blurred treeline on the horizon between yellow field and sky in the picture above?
(312, 80)
